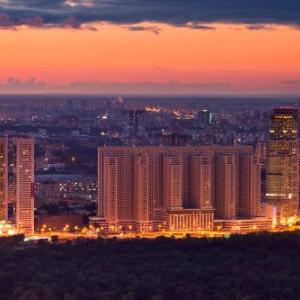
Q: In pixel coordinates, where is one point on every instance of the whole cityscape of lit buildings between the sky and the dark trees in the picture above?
(167, 165)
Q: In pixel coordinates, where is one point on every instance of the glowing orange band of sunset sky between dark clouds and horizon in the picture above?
(226, 59)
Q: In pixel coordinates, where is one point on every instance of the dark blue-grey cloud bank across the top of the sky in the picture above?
(191, 13)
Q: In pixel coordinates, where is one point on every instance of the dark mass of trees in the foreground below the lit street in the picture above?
(257, 266)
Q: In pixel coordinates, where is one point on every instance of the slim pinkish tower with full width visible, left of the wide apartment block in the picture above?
(24, 172)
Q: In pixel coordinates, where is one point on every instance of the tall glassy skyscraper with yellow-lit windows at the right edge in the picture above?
(282, 176)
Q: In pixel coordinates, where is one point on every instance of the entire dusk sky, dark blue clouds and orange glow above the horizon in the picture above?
(139, 46)
